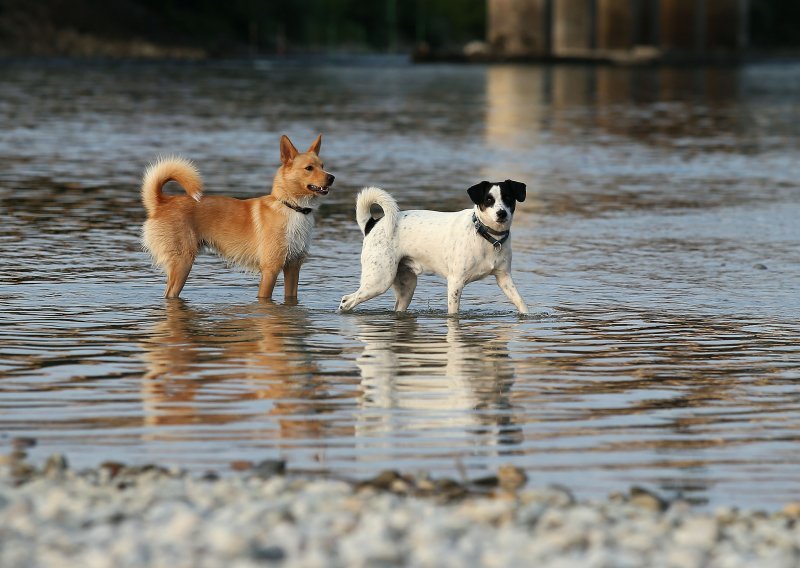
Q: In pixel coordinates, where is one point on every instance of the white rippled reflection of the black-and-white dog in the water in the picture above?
(459, 382)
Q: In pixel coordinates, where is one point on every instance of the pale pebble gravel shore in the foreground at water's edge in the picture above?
(149, 516)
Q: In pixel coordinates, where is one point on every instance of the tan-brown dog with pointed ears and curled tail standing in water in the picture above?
(265, 234)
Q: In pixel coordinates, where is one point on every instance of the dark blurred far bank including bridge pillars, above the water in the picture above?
(643, 29)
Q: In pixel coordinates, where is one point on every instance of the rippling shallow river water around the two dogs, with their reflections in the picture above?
(658, 250)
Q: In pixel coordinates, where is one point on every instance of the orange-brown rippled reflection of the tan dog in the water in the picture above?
(195, 358)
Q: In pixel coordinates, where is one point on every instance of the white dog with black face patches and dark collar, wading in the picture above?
(463, 246)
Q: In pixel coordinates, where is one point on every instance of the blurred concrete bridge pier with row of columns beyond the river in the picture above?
(586, 28)
